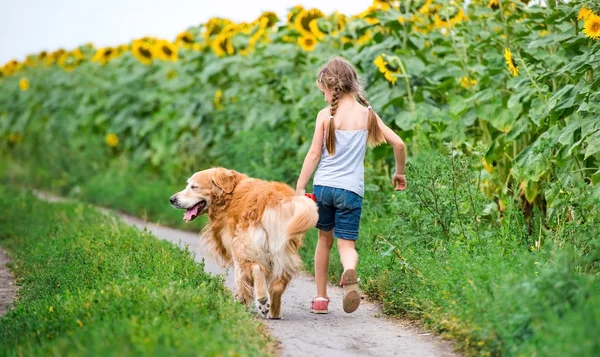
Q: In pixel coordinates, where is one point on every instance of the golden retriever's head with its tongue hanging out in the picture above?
(203, 189)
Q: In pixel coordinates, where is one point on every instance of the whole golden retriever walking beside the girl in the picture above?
(255, 226)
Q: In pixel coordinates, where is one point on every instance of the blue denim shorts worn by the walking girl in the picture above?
(339, 209)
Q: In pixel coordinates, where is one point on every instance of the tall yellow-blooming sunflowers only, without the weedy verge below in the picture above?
(521, 81)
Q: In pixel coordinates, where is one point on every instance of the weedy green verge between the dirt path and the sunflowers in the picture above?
(472, 277)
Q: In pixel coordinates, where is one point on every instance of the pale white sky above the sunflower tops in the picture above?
(30, 26)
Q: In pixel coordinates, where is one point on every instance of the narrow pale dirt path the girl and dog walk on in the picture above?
(363, 333)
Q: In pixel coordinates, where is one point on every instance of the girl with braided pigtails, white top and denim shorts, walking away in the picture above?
(343, 130)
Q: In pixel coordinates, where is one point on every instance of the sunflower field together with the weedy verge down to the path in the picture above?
(512, 86)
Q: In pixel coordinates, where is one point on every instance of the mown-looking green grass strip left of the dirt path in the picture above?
(91, 285)
